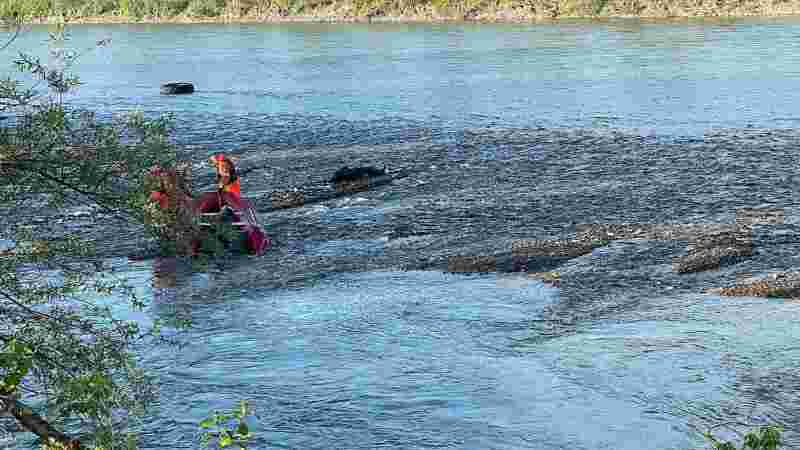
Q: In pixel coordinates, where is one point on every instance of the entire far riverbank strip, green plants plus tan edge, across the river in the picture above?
(425, 10)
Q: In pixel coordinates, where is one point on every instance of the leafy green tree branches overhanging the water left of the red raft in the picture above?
(62, 350)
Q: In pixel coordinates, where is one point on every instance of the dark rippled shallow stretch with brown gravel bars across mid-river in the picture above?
(682, 214)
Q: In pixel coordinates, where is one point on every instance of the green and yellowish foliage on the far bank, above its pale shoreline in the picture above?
(453, 8)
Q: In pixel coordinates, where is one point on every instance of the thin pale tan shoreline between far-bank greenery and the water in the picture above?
(508, 16)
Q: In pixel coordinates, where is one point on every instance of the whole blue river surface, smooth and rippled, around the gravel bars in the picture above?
(343, 336)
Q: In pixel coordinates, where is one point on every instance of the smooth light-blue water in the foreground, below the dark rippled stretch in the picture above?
(433, 360)
